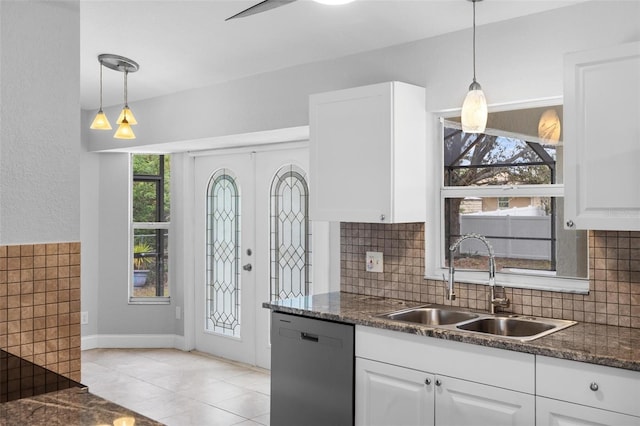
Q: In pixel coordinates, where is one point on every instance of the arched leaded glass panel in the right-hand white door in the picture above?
(290, 234)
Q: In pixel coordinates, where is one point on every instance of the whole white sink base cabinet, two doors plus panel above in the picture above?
(401, 383)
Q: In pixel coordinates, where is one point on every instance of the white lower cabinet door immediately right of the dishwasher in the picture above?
(388, 395)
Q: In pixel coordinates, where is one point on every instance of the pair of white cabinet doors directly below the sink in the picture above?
(389, 395)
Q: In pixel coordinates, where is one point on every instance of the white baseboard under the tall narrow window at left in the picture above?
(133, 341)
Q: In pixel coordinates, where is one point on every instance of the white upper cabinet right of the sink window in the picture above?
(602, 138)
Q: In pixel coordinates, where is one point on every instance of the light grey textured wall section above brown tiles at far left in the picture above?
(40, 131)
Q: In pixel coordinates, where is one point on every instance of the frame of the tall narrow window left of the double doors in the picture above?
(133, 226)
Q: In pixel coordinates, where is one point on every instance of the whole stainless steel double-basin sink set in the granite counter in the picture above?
(516, 327)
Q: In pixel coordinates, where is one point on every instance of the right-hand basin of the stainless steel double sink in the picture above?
(524, 328)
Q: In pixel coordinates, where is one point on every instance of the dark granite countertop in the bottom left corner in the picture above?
(73, 406)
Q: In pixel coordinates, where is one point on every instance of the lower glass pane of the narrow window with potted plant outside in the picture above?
(150, 266)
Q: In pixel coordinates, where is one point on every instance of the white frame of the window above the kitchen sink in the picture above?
(434, 229)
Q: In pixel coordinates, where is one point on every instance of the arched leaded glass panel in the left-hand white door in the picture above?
(223, 255)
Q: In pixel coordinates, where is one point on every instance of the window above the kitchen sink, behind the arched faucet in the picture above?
(506, 185)
